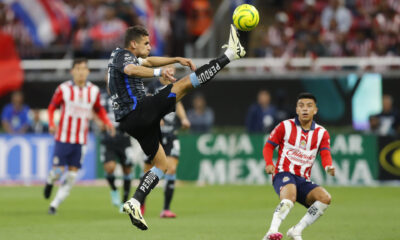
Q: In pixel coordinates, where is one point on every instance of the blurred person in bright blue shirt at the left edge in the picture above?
(14, 117)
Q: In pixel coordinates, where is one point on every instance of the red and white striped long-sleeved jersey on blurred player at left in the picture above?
(77, 104)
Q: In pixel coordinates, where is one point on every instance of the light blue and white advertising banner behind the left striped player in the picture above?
(27, 158)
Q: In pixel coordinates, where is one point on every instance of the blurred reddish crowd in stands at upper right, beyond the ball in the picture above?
(333, 28)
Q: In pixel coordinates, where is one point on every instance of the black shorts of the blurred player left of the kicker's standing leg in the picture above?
(115, 149)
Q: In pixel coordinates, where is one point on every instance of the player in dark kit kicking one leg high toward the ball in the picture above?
(139, 115)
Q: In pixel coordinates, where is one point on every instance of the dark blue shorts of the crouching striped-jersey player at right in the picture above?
(303, 186)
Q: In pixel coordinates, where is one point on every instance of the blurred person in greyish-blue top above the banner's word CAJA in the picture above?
(200, 116)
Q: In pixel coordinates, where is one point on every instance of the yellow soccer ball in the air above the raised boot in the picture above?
(245, 17)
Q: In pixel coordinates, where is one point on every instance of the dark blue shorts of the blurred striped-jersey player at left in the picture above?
(68, 154)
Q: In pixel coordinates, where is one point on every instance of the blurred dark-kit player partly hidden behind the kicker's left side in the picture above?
(114, 148)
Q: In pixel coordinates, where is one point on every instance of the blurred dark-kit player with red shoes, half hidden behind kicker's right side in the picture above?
(170, 143)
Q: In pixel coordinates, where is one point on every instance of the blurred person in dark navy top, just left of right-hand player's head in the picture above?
(261, 116)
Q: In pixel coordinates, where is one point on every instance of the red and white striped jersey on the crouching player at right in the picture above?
(298, 148)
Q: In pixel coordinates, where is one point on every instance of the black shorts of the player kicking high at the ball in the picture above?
(143, 123)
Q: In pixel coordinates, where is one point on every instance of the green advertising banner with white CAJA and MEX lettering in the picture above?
(237, 159)
